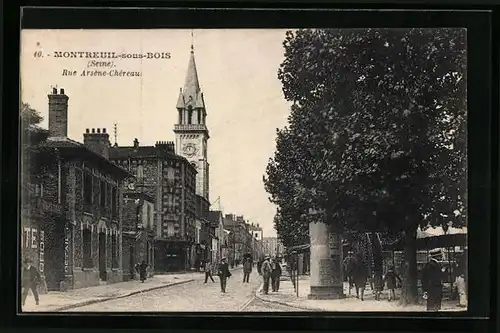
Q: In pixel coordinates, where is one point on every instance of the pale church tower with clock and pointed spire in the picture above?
(191, 133)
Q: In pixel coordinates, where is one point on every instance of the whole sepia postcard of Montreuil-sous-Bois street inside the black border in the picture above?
(243, 170)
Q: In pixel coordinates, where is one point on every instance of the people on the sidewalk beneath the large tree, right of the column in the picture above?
(357, 273)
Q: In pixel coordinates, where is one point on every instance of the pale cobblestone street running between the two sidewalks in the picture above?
(193, 296)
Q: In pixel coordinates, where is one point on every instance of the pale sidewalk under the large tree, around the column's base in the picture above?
(287, 296)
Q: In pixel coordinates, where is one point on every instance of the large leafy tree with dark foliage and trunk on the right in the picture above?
(379, 116)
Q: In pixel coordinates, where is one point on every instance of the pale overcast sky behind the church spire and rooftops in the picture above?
(237, 70)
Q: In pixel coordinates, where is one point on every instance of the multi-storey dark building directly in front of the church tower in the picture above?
(171, 181)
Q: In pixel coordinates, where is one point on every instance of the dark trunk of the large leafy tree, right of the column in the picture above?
(409, 292)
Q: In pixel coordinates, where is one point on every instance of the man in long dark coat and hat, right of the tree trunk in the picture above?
(432, 281)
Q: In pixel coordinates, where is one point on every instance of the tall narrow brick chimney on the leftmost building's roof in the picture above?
(58, 113)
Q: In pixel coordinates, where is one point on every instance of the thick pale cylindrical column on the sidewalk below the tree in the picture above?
(326, 262)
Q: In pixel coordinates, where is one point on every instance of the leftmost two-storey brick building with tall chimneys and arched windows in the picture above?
(73, 210)
